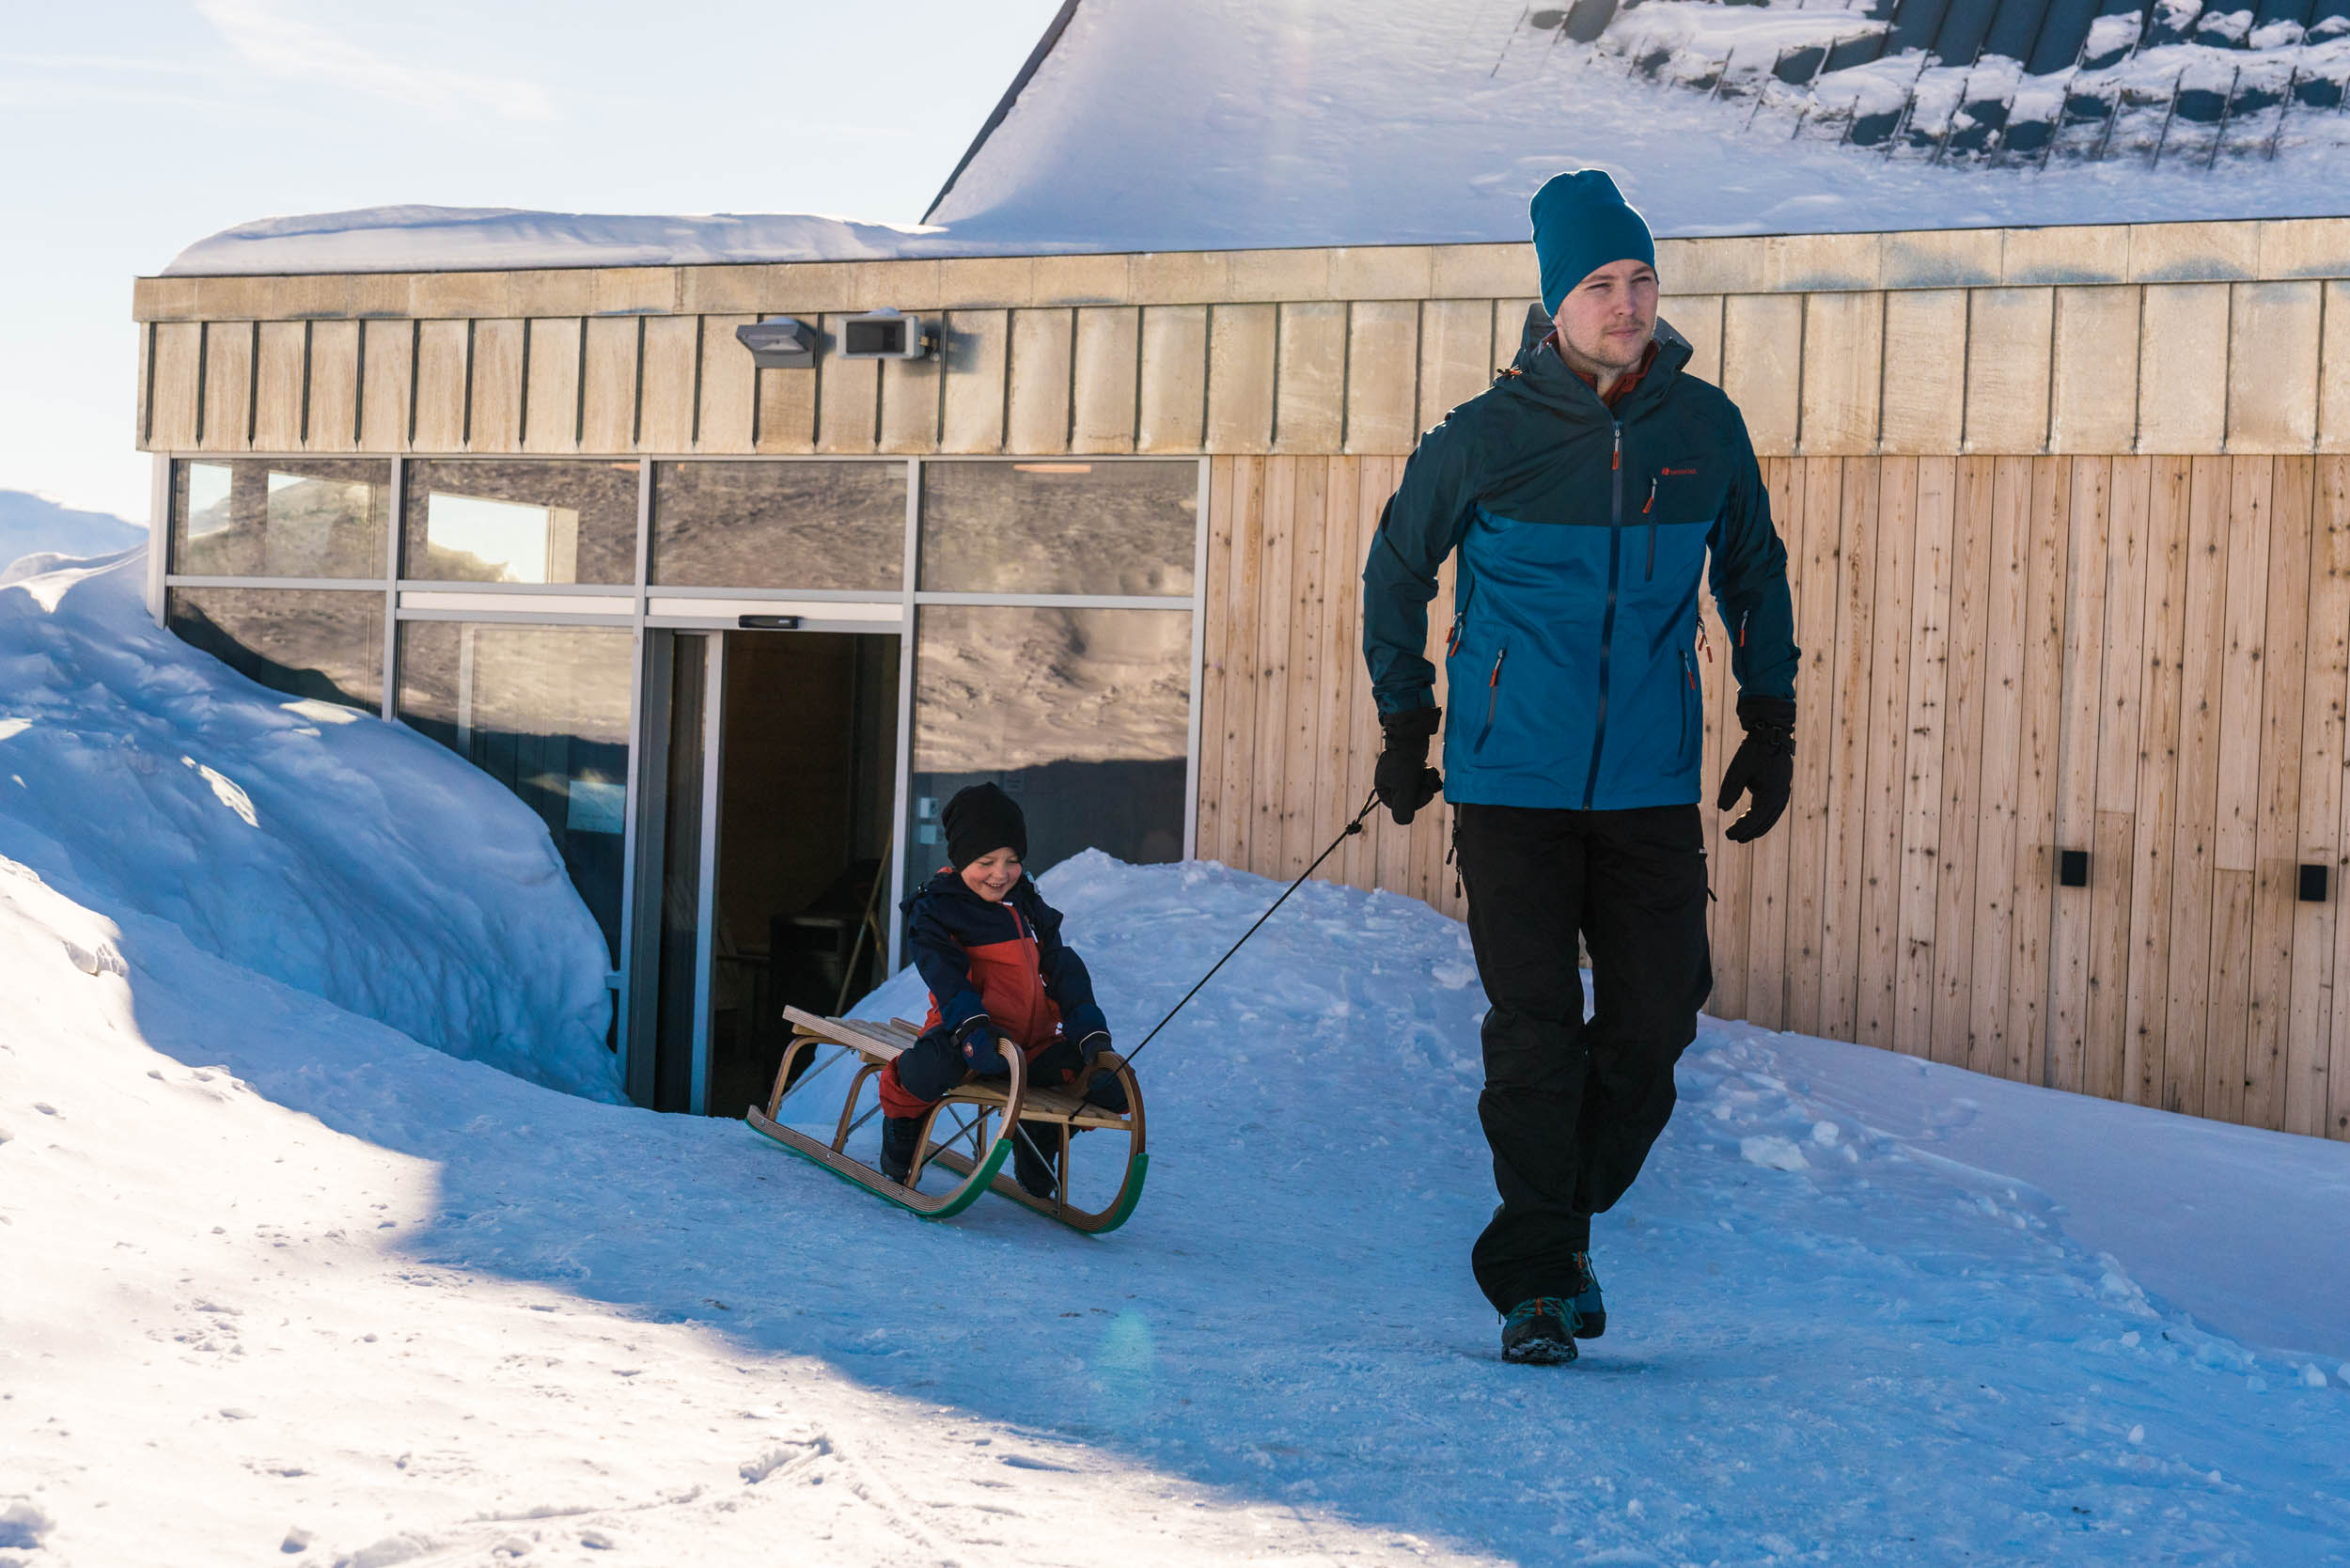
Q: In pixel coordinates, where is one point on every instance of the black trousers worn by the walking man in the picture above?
(1573, 1106)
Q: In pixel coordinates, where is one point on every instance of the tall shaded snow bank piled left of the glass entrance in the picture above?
(302, 840)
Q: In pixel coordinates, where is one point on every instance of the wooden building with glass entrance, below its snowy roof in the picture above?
(2067, 516)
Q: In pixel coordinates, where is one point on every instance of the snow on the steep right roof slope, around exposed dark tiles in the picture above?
(1226, 123)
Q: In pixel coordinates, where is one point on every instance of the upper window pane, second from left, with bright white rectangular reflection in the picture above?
(483, 521)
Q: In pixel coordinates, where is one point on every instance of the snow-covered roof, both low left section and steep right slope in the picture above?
(1235, 126)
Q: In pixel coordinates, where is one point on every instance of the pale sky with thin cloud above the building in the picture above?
(135, 128)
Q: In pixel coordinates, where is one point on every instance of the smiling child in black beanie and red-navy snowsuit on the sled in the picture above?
(991, 951)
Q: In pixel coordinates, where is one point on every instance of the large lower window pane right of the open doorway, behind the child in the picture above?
(1077, 713)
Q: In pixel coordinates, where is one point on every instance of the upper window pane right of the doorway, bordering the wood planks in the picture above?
(1059, 528)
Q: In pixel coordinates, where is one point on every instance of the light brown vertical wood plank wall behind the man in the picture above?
(2006, 657)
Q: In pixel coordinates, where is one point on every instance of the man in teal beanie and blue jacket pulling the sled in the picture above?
(1583, 492)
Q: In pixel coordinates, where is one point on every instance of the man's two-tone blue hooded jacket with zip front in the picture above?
(1583, 532)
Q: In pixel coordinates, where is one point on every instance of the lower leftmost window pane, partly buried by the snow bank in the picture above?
(321, 643)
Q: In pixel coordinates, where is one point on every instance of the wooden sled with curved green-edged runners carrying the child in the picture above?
(969, 1148)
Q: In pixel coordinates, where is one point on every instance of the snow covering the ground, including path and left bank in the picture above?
(290, 1285)
